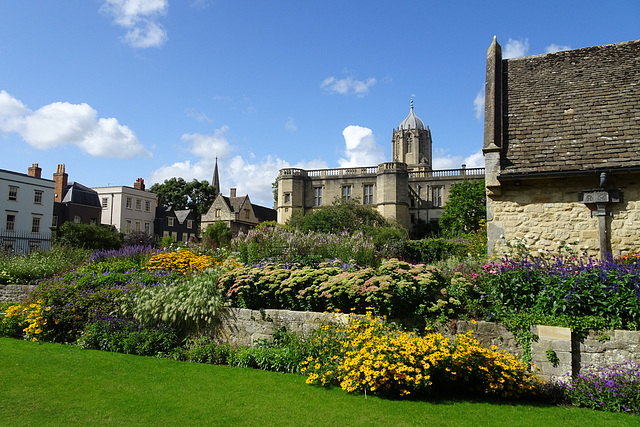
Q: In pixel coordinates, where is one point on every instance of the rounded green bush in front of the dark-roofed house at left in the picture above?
(88, 236)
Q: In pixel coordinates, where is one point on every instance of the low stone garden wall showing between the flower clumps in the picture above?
(556, 352)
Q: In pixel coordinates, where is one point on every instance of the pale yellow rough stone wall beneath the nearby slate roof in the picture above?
(547, 211)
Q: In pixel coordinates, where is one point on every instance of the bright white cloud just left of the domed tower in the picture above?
(360, 148)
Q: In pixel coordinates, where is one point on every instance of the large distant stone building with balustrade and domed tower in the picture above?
(406, 190)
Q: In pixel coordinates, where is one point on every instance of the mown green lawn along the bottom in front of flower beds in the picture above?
(50, 384)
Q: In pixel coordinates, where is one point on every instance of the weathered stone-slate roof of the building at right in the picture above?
(576, 110)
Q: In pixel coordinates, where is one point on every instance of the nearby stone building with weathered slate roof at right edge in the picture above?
(562, 149)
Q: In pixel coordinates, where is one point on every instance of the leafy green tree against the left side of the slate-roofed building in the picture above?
(465, 208)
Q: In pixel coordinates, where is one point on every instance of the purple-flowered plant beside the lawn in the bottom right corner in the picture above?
(613, 388)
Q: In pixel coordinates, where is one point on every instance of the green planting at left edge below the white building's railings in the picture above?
(27, 269)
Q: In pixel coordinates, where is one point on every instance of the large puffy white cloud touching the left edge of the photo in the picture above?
(62, 123)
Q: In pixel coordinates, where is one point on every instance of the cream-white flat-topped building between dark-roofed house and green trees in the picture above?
(128, 208)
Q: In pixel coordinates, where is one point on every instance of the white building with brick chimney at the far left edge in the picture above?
(26, 205)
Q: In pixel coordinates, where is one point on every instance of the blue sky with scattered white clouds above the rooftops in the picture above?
(122, 89)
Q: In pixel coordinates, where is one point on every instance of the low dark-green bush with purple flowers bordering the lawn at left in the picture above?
(122, 335)
